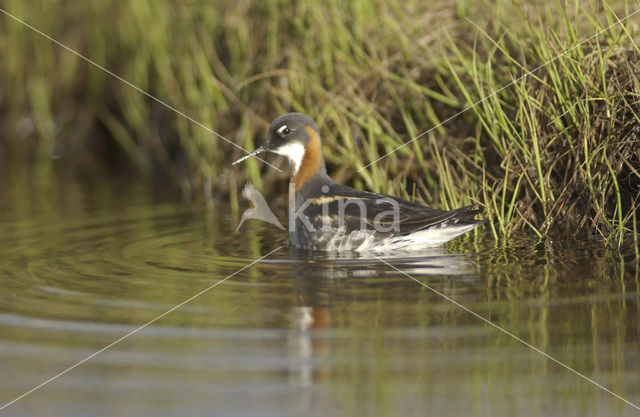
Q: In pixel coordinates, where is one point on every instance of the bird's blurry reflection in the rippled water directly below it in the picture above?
(320, 280)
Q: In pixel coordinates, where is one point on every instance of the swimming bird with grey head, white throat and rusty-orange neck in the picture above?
(327, 216)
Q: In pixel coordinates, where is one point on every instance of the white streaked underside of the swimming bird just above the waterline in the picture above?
(332, 239)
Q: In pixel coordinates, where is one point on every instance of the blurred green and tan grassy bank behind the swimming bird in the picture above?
(555, 153)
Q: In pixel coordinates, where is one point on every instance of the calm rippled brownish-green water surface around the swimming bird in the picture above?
(82, 264)
